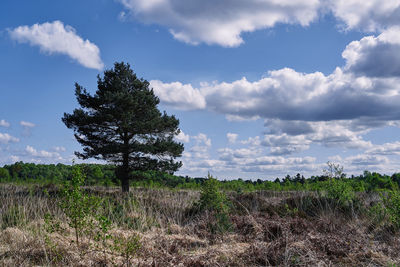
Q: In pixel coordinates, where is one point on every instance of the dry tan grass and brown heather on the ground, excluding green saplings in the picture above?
(268, 229)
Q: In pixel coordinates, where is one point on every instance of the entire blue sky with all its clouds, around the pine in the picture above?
(262, 88)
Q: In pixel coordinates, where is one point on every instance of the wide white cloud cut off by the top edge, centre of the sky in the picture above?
(221, 22)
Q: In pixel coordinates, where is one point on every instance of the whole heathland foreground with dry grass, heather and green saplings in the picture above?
(69, 224)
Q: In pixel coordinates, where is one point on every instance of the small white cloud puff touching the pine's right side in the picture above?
(178, 95)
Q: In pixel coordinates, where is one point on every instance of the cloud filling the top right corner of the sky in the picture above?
(371, 15)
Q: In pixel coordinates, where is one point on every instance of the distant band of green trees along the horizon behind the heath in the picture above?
(104, 175)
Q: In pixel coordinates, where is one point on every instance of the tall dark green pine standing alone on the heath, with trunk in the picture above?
(121, 124)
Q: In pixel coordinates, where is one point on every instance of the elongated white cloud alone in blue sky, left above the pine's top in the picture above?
(54, 37)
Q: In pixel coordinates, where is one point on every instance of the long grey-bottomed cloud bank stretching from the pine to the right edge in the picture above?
(366, 88)
